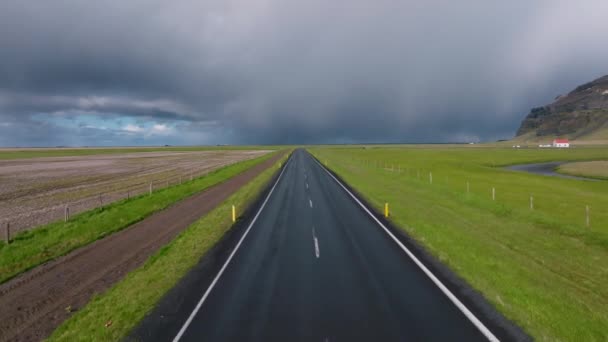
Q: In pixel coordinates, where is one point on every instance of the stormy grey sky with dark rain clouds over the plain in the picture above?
(149, 72)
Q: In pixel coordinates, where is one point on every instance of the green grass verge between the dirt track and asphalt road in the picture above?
(125, 304)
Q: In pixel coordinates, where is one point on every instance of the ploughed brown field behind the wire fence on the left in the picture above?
(36, 191)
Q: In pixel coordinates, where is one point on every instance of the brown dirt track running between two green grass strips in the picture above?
(34, 304)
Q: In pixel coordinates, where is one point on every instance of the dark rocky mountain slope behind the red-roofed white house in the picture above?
(582, 115)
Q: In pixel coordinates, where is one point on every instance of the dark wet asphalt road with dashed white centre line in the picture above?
(315, 266)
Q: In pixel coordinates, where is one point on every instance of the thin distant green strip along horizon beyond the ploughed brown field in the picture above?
(20, 153)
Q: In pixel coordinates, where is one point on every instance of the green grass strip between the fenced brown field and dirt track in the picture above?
(32, 248)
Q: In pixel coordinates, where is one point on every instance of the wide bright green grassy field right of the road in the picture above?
(544, 268)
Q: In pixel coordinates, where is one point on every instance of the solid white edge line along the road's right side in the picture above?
(476, 322)
